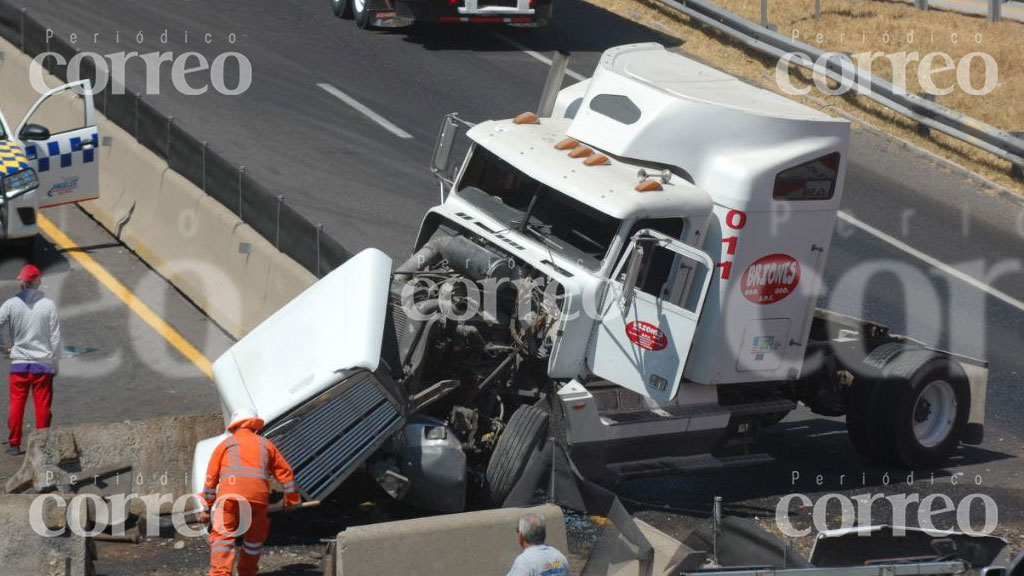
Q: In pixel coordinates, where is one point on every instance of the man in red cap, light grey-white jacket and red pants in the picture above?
(30, 321)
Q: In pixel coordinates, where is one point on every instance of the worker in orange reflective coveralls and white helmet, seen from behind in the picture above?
(240, 470)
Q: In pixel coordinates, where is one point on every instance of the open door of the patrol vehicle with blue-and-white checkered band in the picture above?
(62, 141)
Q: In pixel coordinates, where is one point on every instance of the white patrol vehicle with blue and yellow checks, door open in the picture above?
(46, 167)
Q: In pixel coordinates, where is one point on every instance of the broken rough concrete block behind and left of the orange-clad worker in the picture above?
(159, 451)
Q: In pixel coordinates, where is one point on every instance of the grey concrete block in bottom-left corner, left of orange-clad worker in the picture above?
(25, 552)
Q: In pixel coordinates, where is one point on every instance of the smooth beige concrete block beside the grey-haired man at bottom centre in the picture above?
(482, 543)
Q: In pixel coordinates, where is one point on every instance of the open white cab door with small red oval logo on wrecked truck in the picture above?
(650, 315)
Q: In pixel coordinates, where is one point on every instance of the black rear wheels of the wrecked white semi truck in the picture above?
(909, 407)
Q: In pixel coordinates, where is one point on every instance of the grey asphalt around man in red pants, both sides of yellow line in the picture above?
(114, 367)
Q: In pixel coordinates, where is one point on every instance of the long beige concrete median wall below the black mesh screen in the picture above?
(236, 276)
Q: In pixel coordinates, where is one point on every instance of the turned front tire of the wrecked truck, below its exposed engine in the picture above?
(526, 432)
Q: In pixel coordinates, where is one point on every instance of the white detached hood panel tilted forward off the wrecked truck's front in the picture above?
(334, 327)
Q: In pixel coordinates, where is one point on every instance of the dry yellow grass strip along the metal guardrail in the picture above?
(863, 26)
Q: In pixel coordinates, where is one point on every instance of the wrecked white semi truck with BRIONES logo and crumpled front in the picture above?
(635, 274)
